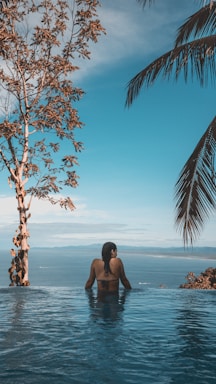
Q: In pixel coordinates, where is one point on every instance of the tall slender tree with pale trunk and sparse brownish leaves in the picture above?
(40, 43)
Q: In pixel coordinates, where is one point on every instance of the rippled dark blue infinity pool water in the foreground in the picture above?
(64, 335)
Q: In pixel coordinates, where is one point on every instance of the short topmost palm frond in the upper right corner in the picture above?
(202, 22)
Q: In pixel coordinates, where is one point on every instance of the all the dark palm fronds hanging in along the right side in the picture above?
(193, 55)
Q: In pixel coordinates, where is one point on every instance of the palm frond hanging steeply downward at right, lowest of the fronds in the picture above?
(195, 190)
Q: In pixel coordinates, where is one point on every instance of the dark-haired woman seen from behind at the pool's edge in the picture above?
(108, 271)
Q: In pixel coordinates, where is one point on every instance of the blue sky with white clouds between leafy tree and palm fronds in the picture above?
(132, 157)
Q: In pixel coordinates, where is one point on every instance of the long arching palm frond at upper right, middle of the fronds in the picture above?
(197, 56)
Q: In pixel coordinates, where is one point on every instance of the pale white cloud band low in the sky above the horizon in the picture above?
(52, 226)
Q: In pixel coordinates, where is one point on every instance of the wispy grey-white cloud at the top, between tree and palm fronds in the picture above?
(133, 32)
